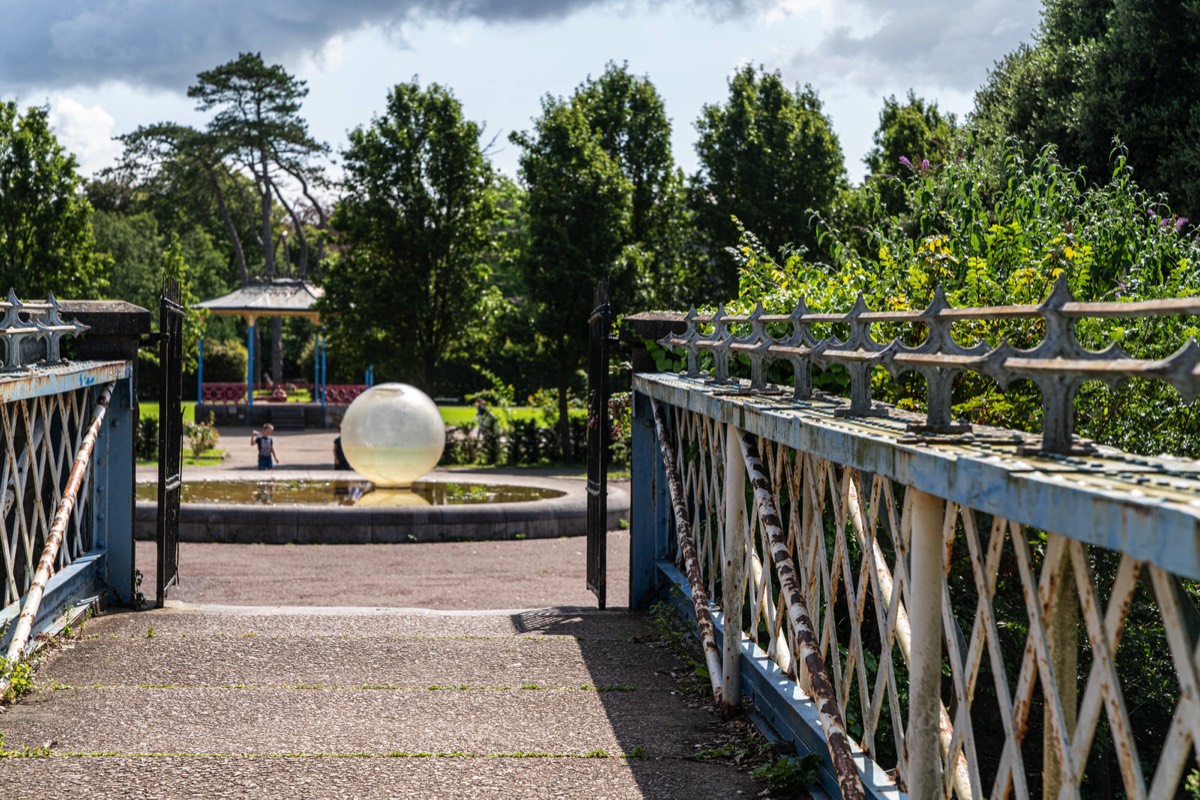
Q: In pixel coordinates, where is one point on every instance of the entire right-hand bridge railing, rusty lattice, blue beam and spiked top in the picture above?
(937, 616)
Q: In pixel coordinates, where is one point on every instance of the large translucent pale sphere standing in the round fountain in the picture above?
(393, 435)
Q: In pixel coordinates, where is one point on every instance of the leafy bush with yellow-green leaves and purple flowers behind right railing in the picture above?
(1113, 242)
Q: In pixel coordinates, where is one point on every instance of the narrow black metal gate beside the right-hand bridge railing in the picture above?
(601, 326)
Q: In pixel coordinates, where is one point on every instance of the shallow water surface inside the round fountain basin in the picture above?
(346, 494)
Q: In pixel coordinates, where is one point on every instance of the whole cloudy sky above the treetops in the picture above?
(106, 67)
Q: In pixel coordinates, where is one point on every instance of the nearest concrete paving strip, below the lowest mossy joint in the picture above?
(377, 779)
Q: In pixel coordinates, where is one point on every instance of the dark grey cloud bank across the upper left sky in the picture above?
(91, 43)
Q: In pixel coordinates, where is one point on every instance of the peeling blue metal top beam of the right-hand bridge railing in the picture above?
(1147, 508)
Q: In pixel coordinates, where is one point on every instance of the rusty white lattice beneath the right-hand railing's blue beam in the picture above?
(1019, 711)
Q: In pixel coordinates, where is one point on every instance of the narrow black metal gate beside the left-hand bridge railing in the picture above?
(171, 436)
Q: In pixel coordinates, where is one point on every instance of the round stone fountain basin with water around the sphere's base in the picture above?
(517, 507)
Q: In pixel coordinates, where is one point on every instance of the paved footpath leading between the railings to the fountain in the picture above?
(476, 670)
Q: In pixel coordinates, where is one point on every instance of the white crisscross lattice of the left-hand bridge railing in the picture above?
(41, 437)
